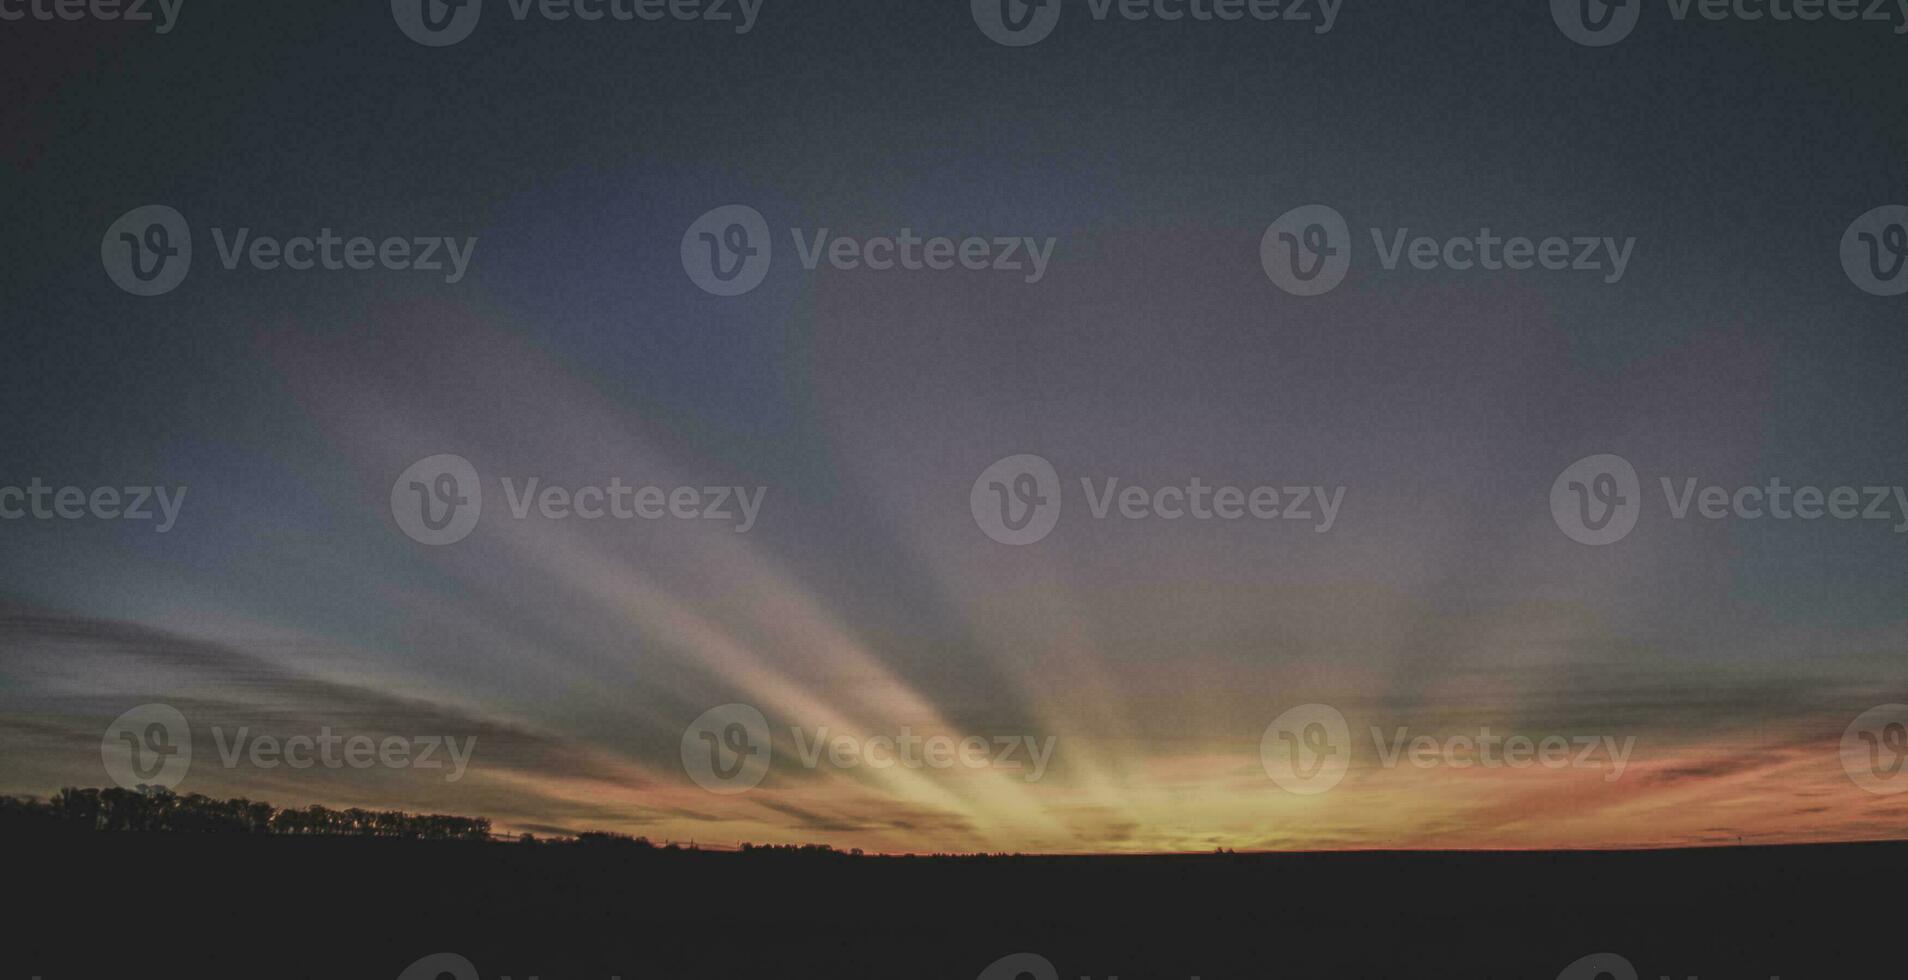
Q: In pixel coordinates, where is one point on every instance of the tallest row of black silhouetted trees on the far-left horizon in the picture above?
(163, 811)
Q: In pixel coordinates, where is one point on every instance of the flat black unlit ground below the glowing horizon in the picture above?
(222, 907)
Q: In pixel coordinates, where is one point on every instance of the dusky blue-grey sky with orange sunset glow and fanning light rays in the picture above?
(1716, 668)
